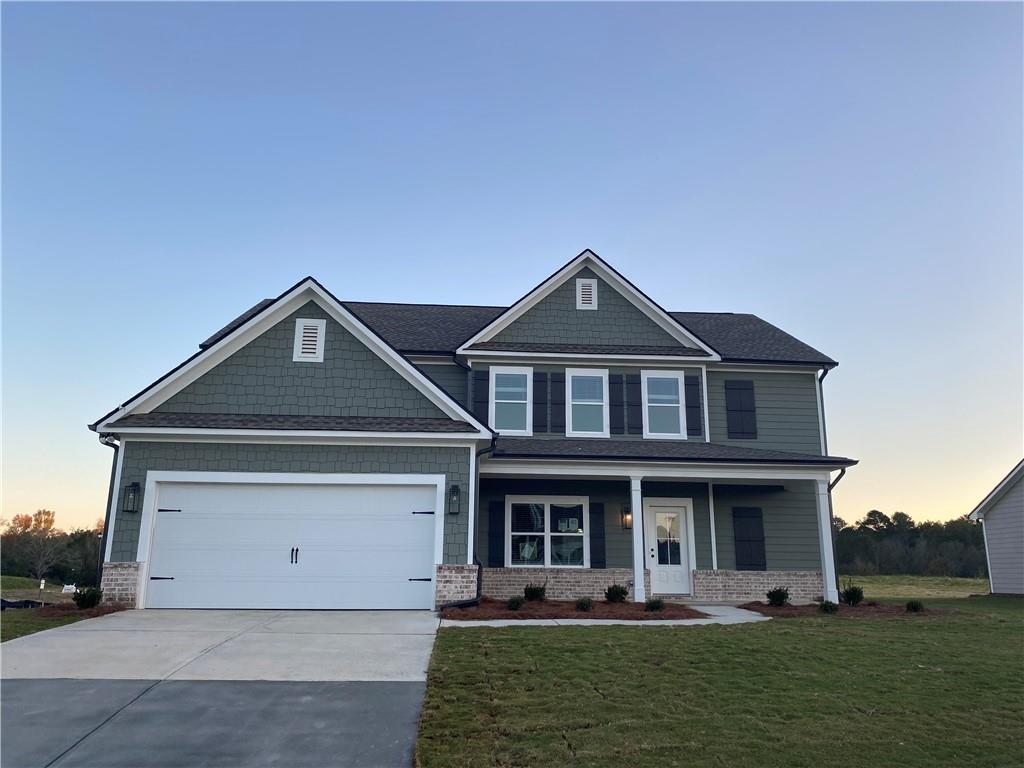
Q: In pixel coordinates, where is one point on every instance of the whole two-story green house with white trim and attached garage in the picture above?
(327, 454)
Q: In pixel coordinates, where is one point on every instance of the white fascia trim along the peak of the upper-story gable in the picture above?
(589, 259)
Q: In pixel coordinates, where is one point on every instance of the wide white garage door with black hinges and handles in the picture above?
(292, 546)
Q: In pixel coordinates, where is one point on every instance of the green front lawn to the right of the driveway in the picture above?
(928, 691)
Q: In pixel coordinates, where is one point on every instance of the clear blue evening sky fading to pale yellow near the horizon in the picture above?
(849, 173)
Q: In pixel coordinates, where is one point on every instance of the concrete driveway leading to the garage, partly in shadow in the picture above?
(185, 689)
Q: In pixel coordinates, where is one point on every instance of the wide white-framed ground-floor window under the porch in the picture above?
(547, 532)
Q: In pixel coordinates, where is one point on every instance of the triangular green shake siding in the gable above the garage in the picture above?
(262, 378)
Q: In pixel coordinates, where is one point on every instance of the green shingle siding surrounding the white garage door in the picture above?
(142, 457)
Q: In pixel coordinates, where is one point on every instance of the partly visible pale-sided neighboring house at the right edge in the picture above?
(1002, 516)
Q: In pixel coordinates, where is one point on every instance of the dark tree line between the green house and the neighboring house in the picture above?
(880, 544)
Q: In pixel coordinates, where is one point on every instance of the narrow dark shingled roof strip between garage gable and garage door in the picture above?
(264, 421)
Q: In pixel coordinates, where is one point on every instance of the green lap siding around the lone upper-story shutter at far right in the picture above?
(787, 410)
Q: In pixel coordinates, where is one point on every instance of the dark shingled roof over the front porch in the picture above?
(672, 451)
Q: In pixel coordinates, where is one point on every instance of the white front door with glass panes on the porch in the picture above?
(668, 525)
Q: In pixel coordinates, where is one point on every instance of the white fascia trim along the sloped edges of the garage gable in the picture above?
(306, 291)
